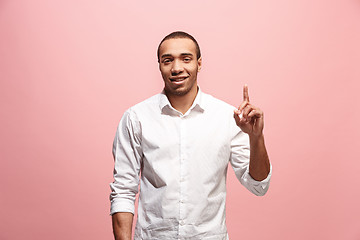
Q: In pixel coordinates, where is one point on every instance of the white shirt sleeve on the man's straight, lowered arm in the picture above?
(127, 157)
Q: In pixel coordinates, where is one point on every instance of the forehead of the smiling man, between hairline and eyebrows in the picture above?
(177, 46)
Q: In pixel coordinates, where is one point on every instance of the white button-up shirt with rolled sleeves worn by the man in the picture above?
(183, 161)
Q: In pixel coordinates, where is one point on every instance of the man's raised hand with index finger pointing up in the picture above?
(248, 117)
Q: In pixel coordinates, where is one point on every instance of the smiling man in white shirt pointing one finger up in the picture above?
(181, 142)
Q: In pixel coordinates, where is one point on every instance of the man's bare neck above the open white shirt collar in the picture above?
(183, 103)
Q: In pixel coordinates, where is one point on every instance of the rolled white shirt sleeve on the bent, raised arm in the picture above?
(240, 159)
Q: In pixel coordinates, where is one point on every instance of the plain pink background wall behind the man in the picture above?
(70, 68)
